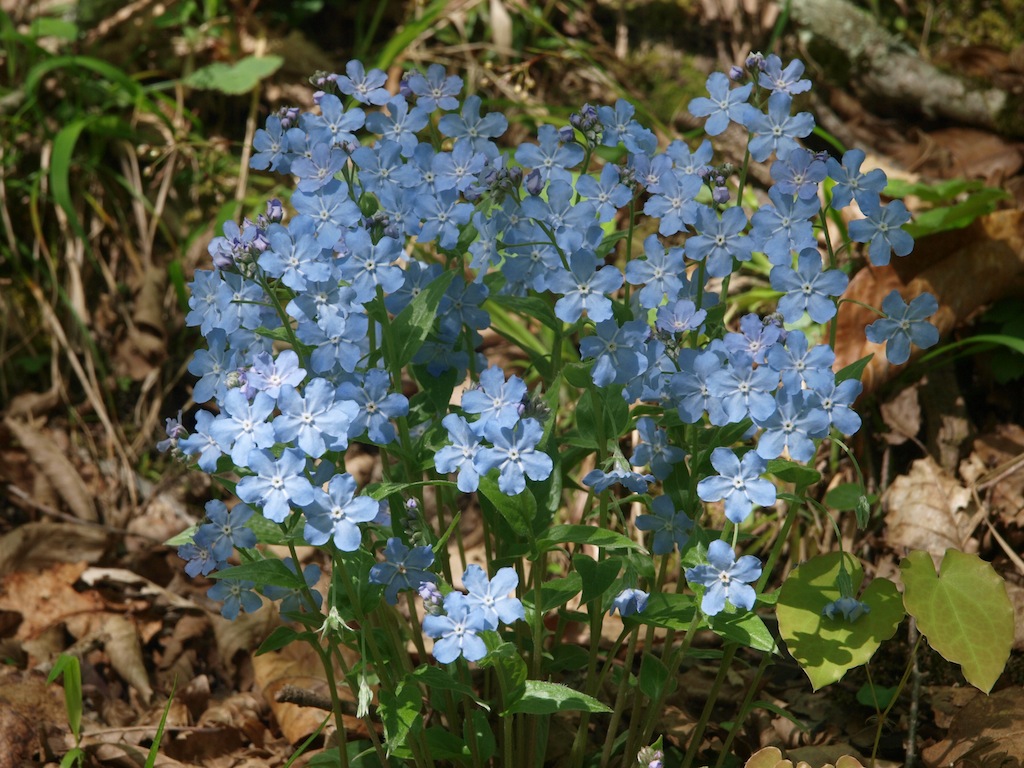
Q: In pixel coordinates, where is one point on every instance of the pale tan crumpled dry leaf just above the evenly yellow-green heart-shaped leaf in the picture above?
(924, 511)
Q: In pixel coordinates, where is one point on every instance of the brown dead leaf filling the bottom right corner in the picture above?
(989, 732)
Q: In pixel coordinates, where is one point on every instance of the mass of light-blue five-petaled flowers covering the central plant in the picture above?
(395, 192)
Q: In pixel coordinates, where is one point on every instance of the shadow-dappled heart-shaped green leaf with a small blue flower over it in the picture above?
(828, 649)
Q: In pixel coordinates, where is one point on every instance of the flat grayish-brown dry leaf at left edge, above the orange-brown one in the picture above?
(37, 545)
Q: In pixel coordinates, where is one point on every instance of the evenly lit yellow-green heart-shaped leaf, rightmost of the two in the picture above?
(964, 612)
